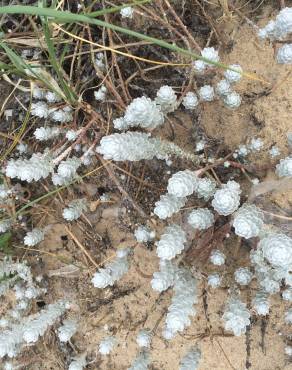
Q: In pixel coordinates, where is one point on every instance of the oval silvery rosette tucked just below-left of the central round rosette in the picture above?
(167, 205)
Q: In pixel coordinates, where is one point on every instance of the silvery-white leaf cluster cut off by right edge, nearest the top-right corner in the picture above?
(280, 27)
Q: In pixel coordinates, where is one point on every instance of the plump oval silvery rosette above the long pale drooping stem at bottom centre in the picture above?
(171, 242)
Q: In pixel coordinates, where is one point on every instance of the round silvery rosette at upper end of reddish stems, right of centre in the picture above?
(226, 200)
